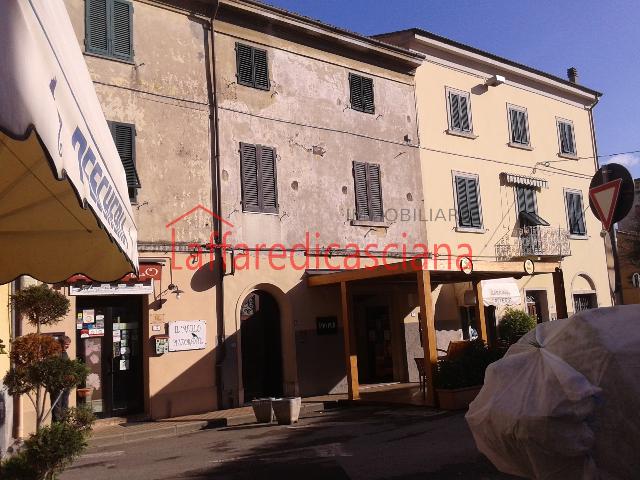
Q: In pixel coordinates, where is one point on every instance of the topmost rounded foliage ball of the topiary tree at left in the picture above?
(40, 305)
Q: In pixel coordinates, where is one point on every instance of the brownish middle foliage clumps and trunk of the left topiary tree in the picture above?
(39, 372)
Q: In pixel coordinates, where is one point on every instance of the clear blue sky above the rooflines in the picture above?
(600, 38)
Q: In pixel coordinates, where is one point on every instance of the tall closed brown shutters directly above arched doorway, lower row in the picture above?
(259, 179)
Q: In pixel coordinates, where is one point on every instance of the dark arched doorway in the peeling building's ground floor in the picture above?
(261, 346)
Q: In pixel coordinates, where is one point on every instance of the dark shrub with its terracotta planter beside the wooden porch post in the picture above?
(459, 381)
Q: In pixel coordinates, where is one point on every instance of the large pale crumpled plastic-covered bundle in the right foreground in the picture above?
(563, 403)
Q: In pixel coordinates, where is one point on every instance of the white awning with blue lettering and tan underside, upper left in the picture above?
(64, 206)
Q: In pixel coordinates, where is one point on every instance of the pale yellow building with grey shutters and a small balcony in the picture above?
(507, 155)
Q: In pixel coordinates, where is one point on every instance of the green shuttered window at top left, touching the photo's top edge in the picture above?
(109, 28)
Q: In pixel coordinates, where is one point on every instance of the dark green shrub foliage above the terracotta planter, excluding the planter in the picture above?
(468, 369)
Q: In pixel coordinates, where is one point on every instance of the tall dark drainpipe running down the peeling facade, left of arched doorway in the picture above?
(216, 200)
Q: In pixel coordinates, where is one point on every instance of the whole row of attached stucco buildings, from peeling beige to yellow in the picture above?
(271, 158)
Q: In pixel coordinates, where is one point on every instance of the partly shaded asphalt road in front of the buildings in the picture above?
(355, 443)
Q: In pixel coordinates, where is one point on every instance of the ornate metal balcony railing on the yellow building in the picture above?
(534, 241)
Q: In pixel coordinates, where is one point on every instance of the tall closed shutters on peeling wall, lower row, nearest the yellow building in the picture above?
(368, 192)
